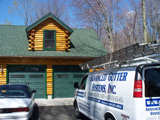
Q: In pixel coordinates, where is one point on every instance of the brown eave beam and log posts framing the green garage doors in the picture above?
(47, 62)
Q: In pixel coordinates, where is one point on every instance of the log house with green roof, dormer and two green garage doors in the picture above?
(46, 55)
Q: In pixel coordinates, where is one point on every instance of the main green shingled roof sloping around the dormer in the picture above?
(14, 43)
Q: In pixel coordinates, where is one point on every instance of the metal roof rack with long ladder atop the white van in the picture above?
(127, 55)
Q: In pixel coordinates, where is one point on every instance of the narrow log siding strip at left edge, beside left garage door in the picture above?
(3, 74)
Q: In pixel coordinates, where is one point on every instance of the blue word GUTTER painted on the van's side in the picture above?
(117, 76)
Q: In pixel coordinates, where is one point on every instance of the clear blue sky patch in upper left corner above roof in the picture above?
(16, 20)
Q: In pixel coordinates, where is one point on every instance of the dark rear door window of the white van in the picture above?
(152, 82)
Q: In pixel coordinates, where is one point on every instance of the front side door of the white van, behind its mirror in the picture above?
(84, 106)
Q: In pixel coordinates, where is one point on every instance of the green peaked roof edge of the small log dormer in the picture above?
(44, 18)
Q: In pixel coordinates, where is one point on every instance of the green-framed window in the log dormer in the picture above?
(49, 40)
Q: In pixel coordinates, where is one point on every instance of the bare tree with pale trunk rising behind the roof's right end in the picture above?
(100, 16)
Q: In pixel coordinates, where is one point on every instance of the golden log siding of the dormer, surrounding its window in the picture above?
(37, 35)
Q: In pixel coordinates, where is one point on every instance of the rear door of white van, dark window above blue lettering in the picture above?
(151, 90)
